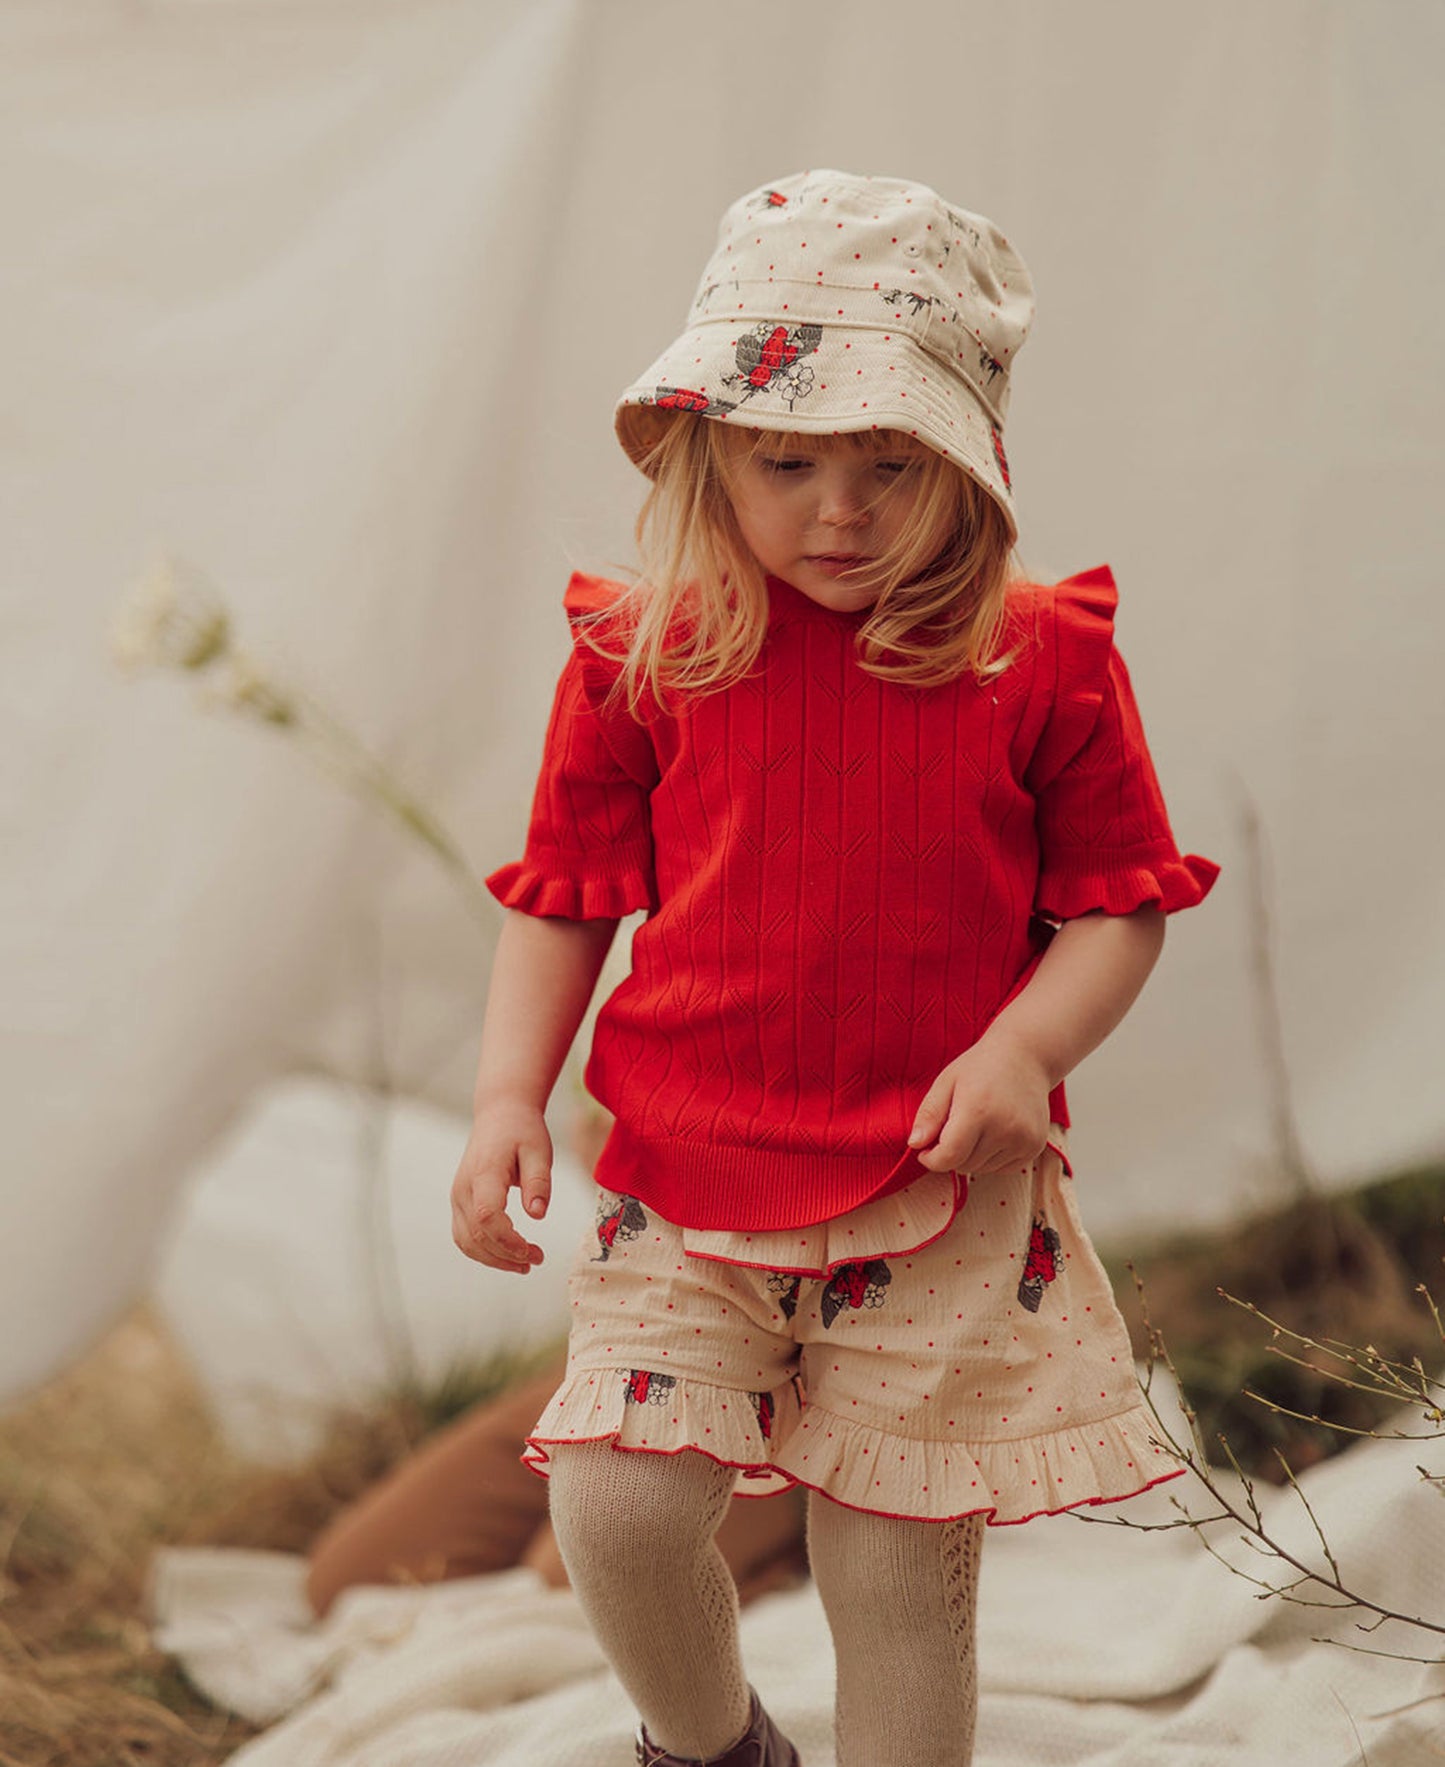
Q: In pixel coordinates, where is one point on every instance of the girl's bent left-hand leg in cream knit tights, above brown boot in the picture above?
(637, 1535)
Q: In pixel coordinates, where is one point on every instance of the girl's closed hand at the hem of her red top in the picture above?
(987, 1112)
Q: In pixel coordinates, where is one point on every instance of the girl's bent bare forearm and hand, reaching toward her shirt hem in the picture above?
(990, 1109)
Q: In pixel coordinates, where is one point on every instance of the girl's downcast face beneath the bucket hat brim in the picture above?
(826, 512)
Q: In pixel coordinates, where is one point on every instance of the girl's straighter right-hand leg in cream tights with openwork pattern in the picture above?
(902, 1604)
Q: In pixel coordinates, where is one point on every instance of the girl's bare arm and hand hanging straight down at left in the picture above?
(541, 982)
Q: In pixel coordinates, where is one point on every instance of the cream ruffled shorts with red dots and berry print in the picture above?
(942, 1353)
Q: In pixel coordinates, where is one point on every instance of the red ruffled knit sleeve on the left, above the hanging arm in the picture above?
(589, 844)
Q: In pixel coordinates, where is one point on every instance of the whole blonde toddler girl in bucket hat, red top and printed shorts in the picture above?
(905, 863)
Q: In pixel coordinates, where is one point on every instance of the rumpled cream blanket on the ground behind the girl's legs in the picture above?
(1098, 1644)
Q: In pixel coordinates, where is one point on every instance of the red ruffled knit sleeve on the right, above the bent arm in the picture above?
(1105, 833)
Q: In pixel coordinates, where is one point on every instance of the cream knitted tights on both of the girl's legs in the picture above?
(637, 1533)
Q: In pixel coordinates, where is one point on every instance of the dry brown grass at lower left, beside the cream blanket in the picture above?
(110, 1462)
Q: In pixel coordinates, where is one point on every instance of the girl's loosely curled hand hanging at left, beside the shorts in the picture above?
(510, 1144)
